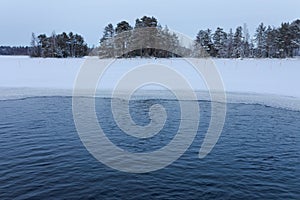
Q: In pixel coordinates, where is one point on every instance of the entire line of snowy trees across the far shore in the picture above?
(126, 41)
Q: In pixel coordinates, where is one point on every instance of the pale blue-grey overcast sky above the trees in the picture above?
(19, 18)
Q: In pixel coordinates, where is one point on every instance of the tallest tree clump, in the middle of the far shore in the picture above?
(127, 41)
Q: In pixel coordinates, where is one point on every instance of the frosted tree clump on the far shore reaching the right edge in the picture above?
(268, 42)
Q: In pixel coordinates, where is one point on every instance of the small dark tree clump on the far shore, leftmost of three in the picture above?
(58, 45)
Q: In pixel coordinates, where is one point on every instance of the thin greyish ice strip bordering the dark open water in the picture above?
(272, 100)
